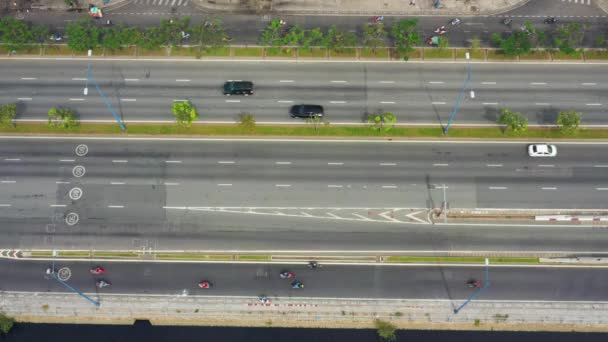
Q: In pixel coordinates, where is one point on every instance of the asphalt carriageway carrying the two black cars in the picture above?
(416, 93)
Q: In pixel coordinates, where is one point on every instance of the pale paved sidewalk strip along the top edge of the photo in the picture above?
(364, 7)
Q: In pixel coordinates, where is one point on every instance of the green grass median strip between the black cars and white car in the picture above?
(302, 130)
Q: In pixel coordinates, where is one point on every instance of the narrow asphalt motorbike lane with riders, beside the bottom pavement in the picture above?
(335, 281)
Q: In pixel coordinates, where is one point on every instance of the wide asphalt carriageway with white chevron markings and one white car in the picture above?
(286, 195)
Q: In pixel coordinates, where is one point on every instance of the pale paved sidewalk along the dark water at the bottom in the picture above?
(184, 309)
